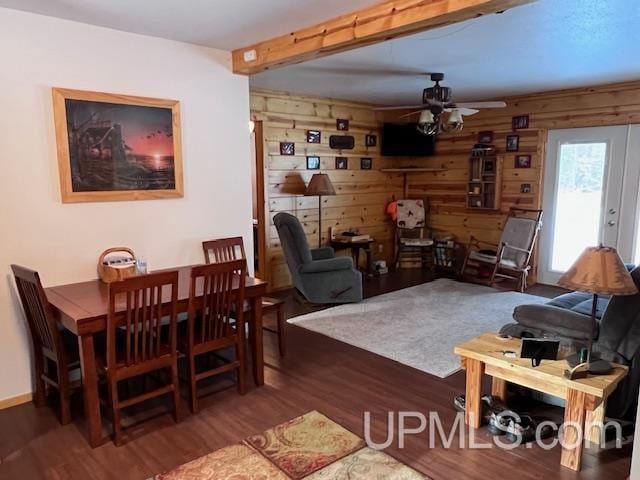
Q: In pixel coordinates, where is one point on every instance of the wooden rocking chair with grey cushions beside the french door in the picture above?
(511, 260)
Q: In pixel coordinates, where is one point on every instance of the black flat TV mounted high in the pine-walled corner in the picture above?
(404, 140)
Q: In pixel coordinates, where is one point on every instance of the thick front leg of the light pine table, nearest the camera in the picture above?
(573, 430)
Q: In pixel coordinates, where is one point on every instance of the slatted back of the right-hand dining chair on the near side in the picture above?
(221, 287)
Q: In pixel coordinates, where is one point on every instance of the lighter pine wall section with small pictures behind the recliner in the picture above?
(362, 195)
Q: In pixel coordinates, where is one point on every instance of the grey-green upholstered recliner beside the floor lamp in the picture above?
(317, 274)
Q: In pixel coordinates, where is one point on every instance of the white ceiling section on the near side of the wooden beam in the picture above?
(224, 24)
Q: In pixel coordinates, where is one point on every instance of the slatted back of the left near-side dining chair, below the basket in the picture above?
(140, 319)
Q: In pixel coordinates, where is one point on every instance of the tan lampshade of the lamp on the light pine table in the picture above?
(599, 270)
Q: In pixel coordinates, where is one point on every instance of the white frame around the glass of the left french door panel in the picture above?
(616, 139)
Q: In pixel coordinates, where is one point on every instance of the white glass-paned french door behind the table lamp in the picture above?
(592, 176)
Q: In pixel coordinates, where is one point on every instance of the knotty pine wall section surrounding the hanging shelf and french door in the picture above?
(616, 104)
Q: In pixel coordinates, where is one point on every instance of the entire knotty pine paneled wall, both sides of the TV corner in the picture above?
(363, 195)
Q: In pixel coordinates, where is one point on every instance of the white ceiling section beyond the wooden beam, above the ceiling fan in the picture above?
(546, 45)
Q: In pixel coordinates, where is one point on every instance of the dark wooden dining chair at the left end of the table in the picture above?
(51, 346)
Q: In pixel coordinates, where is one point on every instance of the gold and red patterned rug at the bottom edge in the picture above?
(312, 447)
